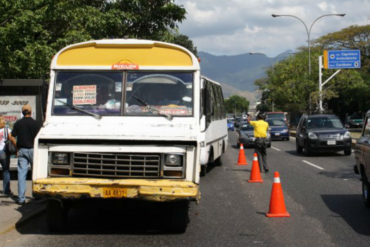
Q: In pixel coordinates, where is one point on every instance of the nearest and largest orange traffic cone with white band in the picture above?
(277, 205)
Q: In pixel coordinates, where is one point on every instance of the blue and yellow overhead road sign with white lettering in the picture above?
(342, 59)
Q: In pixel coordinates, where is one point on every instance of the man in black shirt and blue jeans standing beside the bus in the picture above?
(25, 130)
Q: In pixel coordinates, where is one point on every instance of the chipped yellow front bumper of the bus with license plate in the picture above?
(152, 190)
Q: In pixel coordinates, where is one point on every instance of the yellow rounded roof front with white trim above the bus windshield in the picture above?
(124, 54)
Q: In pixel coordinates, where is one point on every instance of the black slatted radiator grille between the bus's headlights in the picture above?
(116, 165)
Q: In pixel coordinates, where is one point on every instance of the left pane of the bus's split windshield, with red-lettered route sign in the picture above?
(81, 93)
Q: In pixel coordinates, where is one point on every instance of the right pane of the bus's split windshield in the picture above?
(149, 93)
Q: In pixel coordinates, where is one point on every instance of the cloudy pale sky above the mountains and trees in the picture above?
(231, 27)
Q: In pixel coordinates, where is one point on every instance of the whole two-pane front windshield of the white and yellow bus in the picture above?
(100, 93)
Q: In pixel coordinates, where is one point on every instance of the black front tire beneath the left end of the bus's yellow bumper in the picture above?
(56, 215)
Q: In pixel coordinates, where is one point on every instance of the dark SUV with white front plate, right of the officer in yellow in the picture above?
(322, 133)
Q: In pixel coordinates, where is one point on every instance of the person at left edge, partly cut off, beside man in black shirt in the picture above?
(4, 156)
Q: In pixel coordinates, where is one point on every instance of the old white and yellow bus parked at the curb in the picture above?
(127, 119)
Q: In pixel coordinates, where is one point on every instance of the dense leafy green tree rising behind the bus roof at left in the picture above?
(32, 31)
